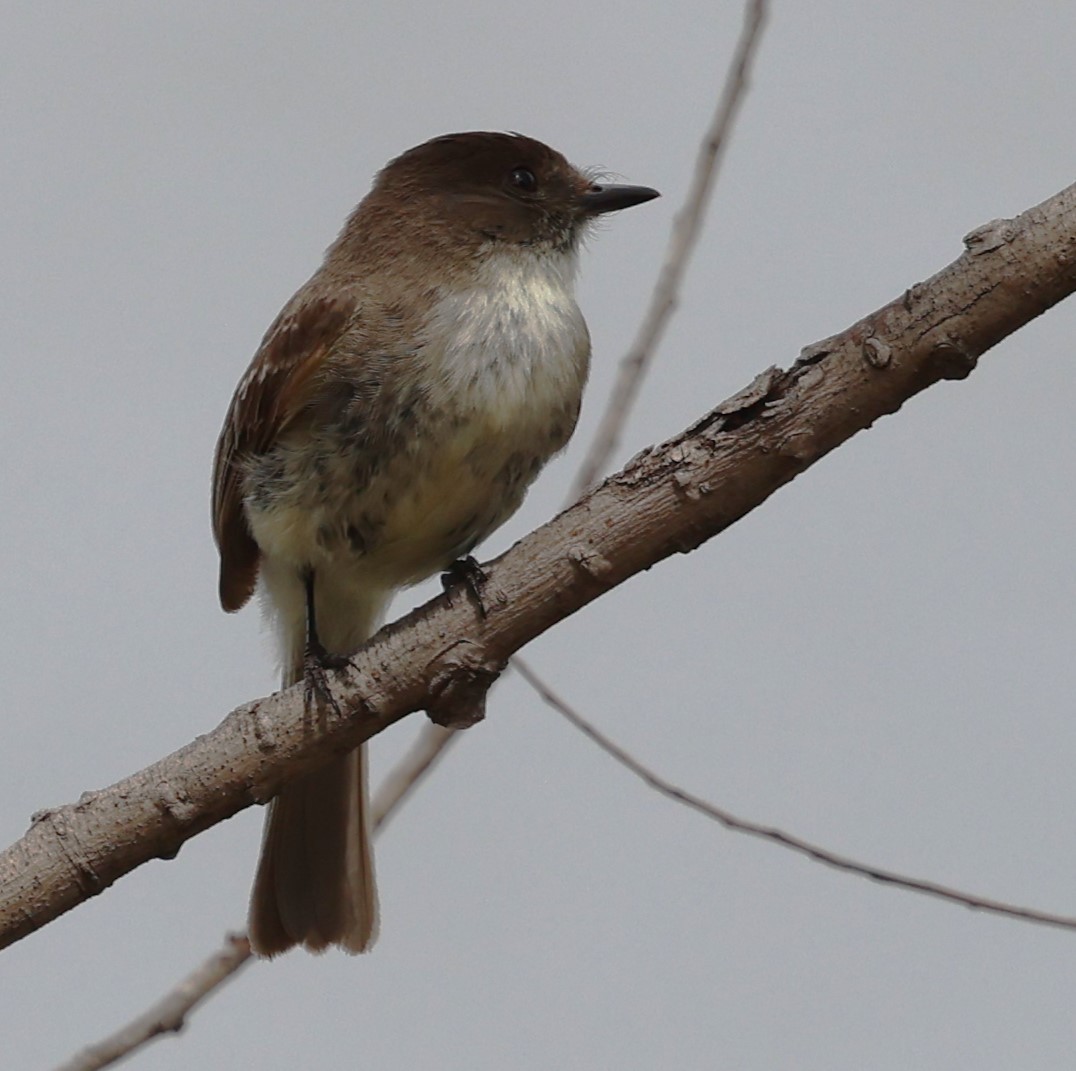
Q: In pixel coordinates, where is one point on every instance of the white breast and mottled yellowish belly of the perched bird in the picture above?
(501, 368)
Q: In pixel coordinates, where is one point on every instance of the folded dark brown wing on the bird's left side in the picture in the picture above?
(268, 398)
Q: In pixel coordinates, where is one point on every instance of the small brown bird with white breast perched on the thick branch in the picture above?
(394, 416)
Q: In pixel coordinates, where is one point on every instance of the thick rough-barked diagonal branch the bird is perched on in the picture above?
(670, 499)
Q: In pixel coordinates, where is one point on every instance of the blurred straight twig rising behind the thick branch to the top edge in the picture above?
(686, 231)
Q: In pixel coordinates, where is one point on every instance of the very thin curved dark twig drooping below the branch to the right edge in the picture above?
(813, 852)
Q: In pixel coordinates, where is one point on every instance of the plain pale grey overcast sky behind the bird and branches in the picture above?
(881, 659)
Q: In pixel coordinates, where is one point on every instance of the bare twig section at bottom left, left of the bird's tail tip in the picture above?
(168, 1016)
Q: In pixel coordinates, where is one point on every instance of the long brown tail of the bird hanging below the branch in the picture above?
(315, 884)
